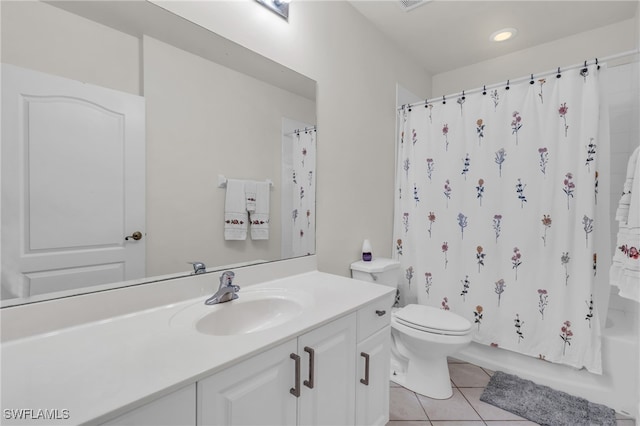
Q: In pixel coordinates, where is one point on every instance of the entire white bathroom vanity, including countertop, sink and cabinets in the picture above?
(307, 348)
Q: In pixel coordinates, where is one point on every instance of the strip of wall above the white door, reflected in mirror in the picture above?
(46, 39)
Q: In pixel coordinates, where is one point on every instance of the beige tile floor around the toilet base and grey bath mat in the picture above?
(464, 408)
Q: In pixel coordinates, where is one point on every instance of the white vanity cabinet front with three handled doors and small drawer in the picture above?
(336, 374)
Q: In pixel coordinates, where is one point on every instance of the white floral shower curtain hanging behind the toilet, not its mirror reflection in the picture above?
(502, 213)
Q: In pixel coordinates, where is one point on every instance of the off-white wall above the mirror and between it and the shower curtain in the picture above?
(357, 69)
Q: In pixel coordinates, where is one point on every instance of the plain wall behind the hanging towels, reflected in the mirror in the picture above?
(203, 120)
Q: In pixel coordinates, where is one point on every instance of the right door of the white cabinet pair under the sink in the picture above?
(328, 390)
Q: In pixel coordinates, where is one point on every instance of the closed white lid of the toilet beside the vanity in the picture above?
(432, 320)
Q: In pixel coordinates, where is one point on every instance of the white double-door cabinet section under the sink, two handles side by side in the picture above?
(303, 381)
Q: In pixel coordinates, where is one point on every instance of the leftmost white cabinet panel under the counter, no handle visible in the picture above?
(177, 408)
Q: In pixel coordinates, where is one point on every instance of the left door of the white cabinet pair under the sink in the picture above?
(253, 392)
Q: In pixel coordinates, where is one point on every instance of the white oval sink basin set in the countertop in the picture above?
(252, 312)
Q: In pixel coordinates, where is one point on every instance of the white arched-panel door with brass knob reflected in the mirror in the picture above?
(73, 184)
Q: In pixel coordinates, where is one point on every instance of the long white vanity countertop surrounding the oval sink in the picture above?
(102, 369)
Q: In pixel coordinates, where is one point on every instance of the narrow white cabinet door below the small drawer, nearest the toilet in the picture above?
(372, 395)
